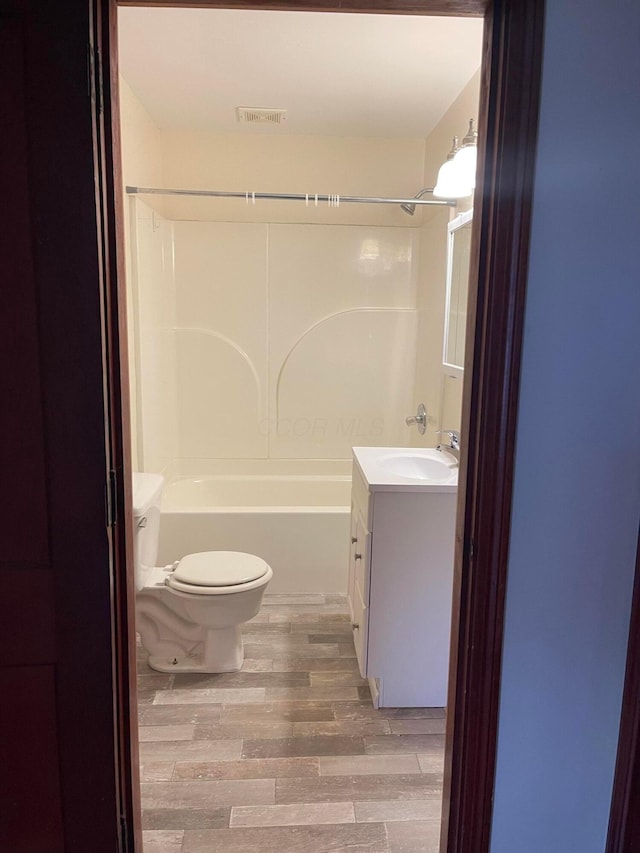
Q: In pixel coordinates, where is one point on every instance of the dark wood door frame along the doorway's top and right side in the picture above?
(508, 120)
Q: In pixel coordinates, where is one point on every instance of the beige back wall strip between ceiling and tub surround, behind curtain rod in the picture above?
(296, 164)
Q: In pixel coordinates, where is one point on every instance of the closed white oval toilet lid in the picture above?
(220, 568)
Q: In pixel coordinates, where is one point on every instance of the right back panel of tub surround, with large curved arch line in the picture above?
(342, 337)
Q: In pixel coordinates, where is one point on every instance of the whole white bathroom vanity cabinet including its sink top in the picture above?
(403, 510)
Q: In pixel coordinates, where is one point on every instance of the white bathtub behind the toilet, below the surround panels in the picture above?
(297, 522)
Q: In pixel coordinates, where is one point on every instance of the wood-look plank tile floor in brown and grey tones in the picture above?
(288, 754)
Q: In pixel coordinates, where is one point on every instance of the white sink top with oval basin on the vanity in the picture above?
(413, 469)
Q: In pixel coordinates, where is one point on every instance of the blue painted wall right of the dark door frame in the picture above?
(577, 487)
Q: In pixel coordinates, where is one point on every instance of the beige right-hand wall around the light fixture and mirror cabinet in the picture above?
(441, 393)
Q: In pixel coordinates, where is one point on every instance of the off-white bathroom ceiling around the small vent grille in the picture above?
(335, 74)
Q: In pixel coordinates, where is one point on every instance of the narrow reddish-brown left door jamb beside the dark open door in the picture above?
(110, 203)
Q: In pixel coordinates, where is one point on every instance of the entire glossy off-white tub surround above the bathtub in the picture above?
(245, 328)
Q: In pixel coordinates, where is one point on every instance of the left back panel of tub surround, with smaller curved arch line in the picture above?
(221, 338)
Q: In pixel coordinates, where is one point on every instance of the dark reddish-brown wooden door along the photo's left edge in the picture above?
(59, 561)
